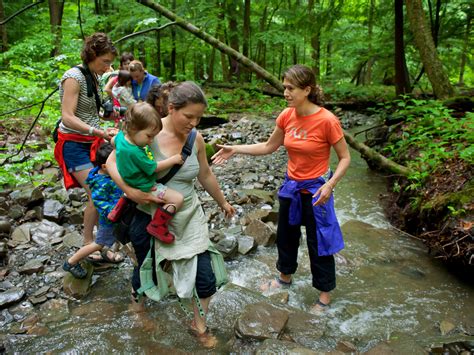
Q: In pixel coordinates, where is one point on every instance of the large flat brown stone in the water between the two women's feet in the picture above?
(261, 321)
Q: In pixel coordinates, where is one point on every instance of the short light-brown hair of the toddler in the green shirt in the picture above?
(141, 116)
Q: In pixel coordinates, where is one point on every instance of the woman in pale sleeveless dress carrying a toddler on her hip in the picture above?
(189, 255)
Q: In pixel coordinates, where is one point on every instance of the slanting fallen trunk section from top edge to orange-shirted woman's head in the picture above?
(272, 80)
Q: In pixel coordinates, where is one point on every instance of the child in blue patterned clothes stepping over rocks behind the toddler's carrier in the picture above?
(105, 194)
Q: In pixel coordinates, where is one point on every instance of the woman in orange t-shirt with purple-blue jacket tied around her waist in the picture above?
(307, 131)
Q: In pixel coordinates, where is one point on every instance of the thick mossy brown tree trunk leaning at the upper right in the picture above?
(437, 76)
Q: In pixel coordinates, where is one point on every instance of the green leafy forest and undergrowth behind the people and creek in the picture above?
(409, 61)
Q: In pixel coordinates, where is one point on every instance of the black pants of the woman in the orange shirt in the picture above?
(323, 268)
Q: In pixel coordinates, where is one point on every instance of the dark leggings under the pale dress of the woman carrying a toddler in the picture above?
(205, 278)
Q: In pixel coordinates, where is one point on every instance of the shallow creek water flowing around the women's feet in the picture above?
(388, 290)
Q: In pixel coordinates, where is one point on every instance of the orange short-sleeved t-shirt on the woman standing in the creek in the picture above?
(308, 141)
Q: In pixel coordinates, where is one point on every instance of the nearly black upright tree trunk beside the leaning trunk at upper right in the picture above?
(402, 80)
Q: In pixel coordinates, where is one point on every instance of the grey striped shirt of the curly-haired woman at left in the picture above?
(86, 109)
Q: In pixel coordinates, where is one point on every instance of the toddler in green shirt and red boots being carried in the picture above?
(137, 167)
